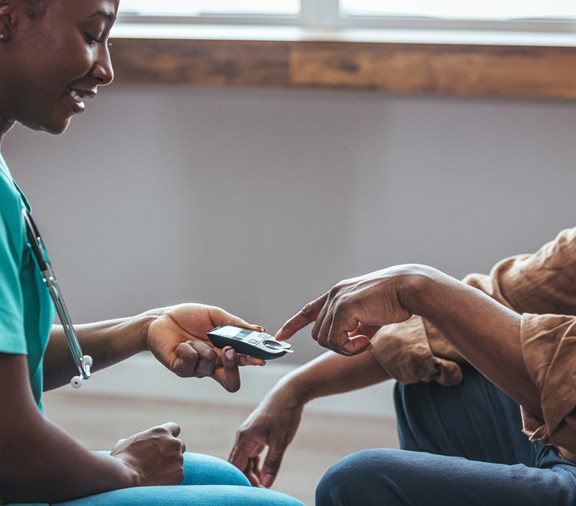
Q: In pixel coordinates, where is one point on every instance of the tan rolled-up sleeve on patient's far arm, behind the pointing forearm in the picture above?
(542, 282)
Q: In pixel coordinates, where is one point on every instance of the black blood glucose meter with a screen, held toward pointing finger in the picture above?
(249, 342)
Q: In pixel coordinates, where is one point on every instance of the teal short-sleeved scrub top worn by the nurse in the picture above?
(26, 310)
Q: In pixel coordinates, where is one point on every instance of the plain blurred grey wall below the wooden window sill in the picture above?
(259, 200)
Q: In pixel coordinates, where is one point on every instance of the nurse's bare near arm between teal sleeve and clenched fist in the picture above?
(41, 462)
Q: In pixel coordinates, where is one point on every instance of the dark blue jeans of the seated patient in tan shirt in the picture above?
(461, 446)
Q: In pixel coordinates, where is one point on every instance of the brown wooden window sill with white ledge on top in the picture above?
(517, 66)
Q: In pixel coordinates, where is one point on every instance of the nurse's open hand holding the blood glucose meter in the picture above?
(177, 338)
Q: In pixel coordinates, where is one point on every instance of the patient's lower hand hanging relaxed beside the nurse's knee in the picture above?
(272, 425)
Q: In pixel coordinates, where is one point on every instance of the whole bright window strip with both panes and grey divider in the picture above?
(360, 13)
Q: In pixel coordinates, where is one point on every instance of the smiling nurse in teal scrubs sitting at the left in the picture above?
(53, 56)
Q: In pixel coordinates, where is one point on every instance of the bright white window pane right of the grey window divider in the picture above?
(457, 9)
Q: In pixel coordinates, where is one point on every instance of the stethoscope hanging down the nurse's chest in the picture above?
(83, 362)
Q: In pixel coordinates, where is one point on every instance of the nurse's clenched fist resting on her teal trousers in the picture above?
(155, 455)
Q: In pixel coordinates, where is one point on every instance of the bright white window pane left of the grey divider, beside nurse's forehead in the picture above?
(211, 7)
